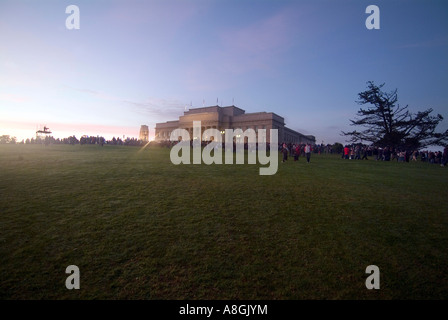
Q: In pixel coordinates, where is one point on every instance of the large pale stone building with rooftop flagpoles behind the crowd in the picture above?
(231, 117)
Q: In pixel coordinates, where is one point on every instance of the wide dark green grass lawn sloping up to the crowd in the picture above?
(139, 227)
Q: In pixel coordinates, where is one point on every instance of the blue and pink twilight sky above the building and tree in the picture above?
(140, 62)
